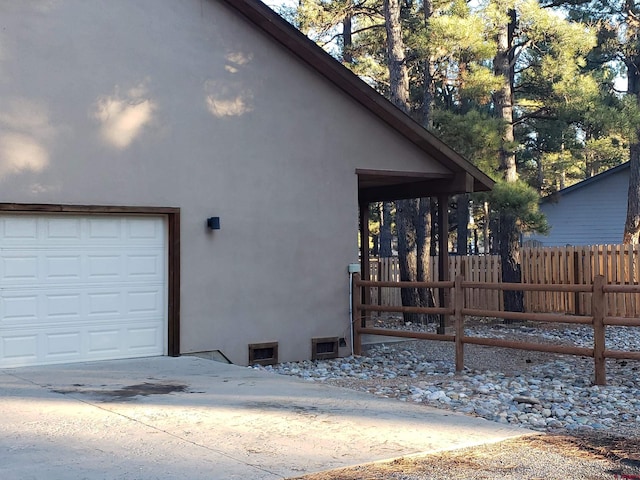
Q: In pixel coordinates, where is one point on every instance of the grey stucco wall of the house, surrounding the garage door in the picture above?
(183, 103)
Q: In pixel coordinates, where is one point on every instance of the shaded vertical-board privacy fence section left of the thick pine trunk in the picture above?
(474, 268)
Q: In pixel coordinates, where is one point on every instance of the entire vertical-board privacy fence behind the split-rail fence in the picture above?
(618, 264)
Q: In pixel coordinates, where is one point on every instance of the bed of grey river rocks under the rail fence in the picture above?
(540, 391)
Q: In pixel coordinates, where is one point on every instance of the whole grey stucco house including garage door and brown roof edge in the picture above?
(126, 124)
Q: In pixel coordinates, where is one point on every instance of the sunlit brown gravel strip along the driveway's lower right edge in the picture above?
(547, 457)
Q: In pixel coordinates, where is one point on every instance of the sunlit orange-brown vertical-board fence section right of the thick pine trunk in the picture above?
(618, 264)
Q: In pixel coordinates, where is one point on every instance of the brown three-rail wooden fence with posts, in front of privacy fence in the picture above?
(600, 317)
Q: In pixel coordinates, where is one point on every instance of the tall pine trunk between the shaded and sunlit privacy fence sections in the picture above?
(509, 238)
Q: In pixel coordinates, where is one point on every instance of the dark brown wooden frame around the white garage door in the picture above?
(173, 261)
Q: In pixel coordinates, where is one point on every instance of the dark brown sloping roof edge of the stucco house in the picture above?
(306, 50)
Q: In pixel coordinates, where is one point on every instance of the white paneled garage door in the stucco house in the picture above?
(78, 288)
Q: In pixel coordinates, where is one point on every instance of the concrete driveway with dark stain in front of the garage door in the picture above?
(190, 418)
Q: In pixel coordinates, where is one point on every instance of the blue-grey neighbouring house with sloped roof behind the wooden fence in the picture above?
(591, 212)
